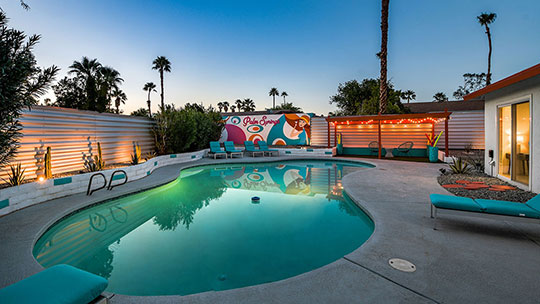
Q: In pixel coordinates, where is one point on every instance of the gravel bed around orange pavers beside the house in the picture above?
(516, 195)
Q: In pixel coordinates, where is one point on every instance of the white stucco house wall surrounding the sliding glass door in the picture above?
(526, 90)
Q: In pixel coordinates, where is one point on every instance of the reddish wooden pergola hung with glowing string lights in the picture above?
(417, 118)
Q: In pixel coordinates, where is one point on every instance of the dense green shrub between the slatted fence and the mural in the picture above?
(186, 129)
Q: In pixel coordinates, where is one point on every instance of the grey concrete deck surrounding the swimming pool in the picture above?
(468, 259)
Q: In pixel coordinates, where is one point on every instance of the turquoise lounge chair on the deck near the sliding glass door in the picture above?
(529, 210)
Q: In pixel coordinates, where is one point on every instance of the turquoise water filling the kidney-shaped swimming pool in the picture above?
(203, 232)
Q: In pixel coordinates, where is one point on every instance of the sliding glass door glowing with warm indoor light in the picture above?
(514, 142)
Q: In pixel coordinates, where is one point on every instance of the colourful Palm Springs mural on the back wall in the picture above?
(275, 129)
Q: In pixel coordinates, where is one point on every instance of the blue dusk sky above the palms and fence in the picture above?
(225, 50)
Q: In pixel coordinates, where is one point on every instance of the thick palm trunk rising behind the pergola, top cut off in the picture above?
(383, 84)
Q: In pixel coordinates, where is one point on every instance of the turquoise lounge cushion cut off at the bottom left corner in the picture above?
(58, 284)
